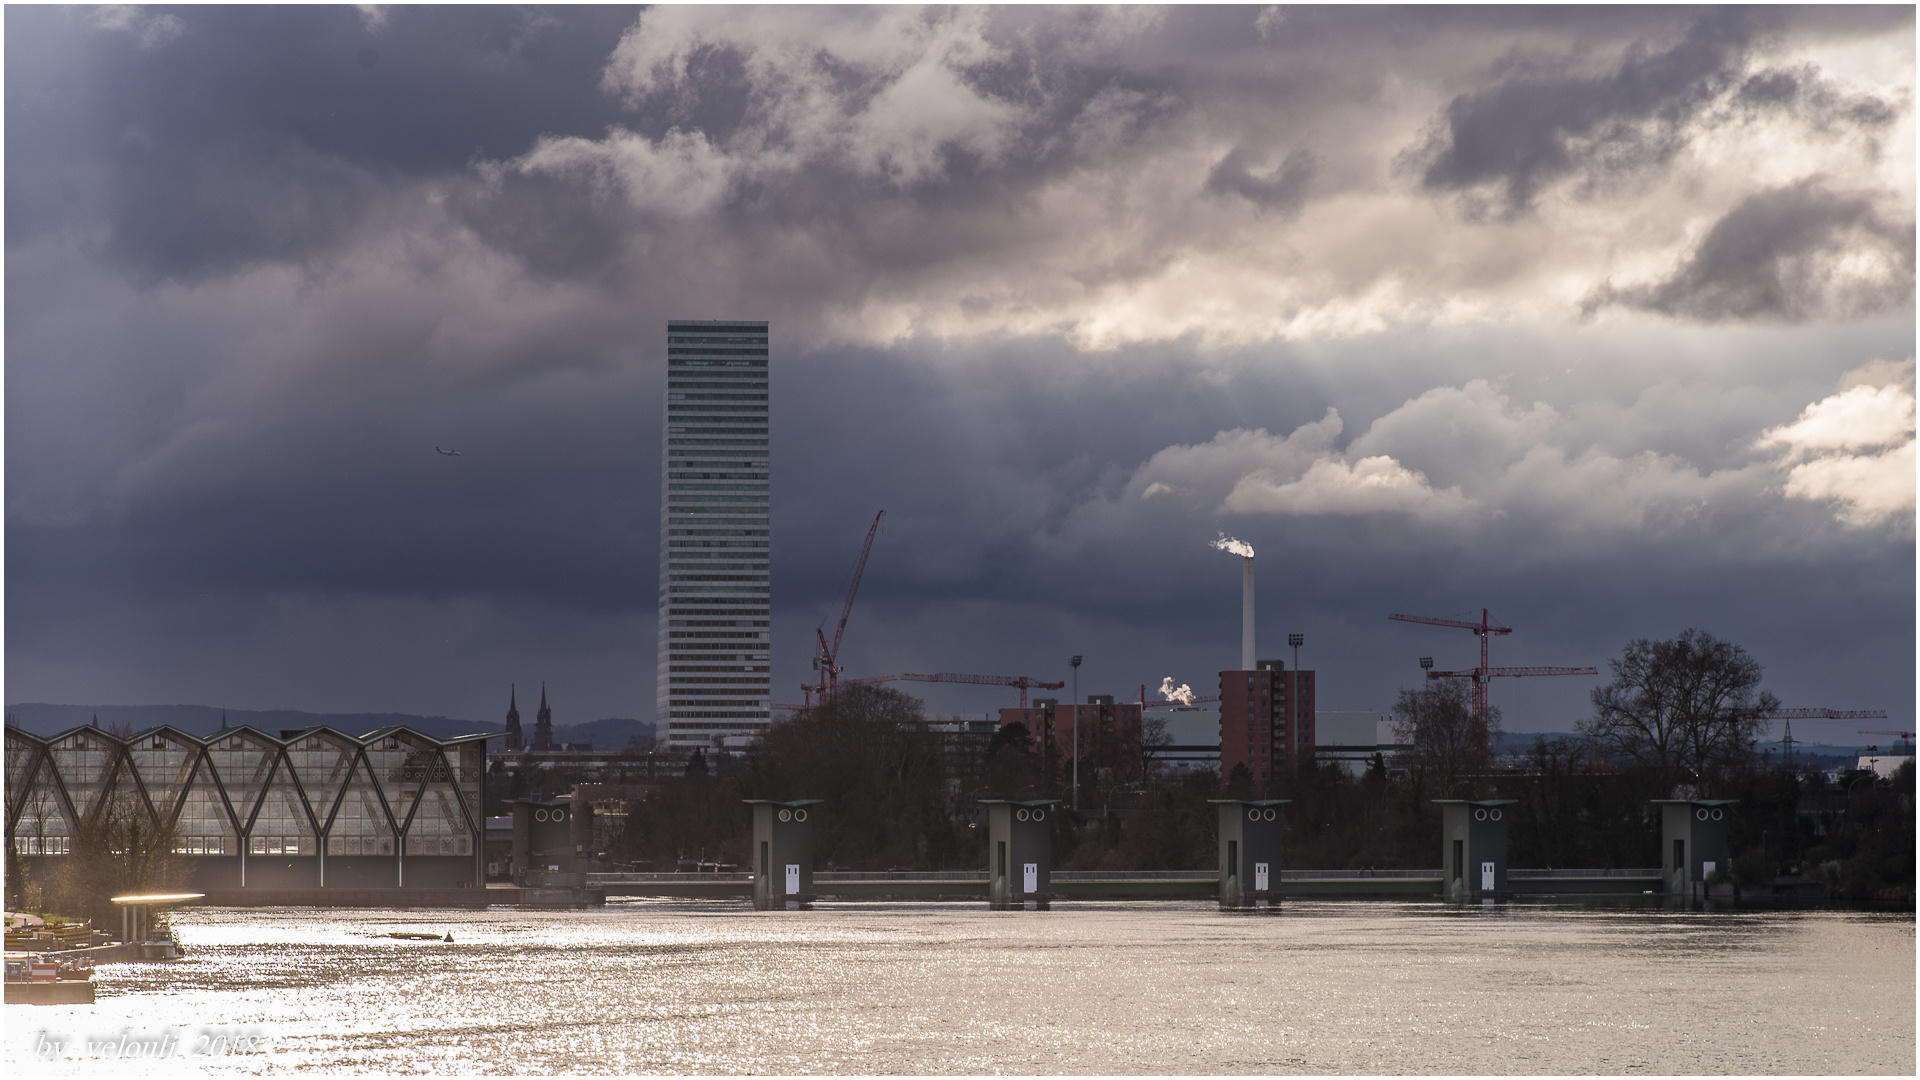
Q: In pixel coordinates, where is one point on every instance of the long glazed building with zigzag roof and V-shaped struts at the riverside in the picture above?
(314, 808)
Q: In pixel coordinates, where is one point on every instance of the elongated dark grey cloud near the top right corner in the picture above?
(1541, 124)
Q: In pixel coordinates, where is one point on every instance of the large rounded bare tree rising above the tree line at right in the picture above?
(1685, 708)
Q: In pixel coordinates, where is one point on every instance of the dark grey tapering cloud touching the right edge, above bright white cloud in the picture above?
(1796, 253)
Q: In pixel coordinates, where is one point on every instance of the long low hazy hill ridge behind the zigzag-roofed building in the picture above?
(41, 718)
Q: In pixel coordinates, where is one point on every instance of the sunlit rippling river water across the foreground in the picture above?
(1332, 987)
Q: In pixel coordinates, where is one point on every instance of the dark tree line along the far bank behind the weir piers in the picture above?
(1677, 720)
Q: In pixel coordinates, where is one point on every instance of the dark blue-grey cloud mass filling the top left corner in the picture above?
(264, 134)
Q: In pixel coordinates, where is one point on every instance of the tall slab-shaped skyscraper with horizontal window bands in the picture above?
(715, 597)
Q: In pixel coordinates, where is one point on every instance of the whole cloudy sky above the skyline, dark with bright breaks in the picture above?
(1602, 320)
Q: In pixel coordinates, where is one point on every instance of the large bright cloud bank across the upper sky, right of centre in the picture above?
(1045, 172)
